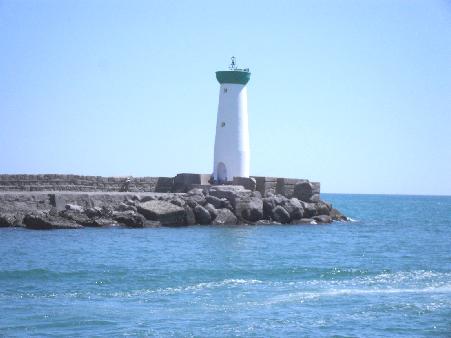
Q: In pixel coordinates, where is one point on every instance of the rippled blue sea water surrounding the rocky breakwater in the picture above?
(386, 274)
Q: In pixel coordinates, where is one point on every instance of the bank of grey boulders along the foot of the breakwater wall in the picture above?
(217, 205)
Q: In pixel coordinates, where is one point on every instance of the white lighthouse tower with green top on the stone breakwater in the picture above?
(232, 154)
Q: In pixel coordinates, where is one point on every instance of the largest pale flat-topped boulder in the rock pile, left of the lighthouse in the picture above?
(163, 211)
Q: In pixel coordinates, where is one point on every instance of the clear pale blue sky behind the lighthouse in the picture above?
(354, 94)
